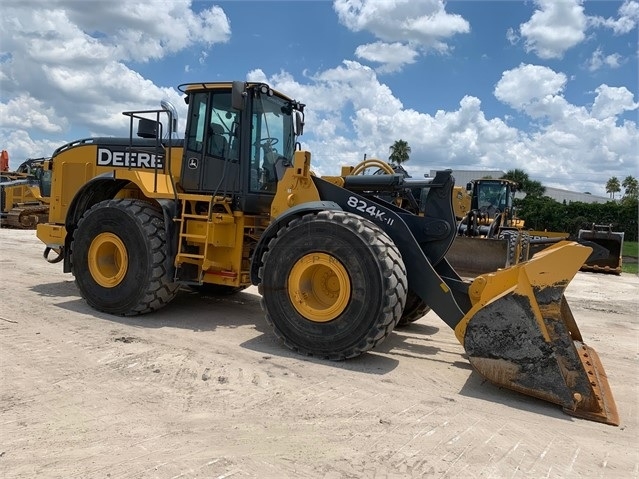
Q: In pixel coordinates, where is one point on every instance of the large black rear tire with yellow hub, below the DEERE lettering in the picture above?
(119, 258)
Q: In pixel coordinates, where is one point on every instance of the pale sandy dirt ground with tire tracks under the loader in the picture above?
(202, 389)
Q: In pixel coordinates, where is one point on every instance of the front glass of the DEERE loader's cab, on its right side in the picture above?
(272, 141)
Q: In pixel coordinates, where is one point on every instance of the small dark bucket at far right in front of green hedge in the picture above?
(607, 249)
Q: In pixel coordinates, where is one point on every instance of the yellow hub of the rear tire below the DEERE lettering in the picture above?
(108, 260)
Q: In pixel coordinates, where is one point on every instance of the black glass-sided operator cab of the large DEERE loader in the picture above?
(239, 139)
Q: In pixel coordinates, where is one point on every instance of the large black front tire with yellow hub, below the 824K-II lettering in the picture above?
(333, 285)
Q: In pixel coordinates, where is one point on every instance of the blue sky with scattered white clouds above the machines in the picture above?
(546, 86)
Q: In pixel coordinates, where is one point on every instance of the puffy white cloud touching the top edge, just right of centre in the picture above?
(407, 26)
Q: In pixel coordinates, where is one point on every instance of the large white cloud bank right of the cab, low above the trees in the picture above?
(571, 144)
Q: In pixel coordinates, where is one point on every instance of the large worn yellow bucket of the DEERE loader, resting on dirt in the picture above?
(521, 334)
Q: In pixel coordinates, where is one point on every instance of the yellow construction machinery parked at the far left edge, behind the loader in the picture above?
(22, 204)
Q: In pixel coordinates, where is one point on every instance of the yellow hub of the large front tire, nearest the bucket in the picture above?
(319, 287)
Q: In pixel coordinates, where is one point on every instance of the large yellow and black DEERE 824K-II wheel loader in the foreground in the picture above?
(235, 203)
